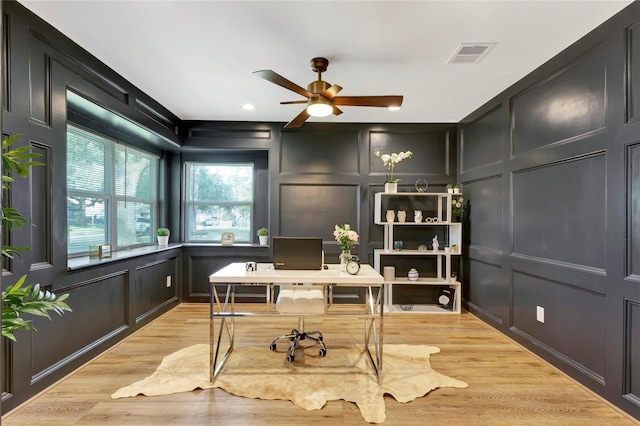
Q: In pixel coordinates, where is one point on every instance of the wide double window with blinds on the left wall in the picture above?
(112, 193)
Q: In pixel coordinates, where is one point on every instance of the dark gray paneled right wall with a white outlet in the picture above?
(551, 169)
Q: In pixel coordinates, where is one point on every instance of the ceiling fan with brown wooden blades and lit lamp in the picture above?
(321, 96)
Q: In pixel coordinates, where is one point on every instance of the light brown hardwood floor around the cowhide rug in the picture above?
(507, 384)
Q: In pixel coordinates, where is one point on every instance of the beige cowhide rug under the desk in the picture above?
(309, 382)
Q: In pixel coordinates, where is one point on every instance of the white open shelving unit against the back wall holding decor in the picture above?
(440, 217)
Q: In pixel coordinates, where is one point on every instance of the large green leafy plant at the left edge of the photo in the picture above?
(16, 299)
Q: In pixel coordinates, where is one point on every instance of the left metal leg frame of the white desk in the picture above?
(226, 329)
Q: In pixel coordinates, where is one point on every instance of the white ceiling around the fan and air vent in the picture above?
(197, 57)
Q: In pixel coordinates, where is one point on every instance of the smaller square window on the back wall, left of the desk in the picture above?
(219, 198)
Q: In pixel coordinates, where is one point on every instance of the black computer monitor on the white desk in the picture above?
(297, 253)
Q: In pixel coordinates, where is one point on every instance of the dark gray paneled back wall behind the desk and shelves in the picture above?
(319, 175)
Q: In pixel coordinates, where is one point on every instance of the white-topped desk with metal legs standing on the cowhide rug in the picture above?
(265, 275)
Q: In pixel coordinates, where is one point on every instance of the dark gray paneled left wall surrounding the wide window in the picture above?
(110, 300)
